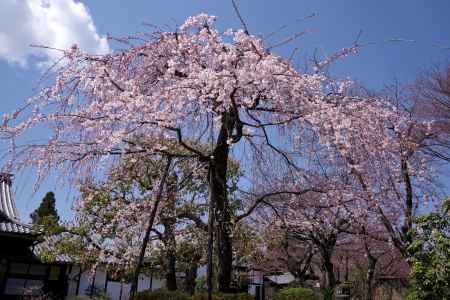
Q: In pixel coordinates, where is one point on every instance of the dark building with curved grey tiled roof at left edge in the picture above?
(21, 271)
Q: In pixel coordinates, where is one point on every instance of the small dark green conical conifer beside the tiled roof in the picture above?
(46, 215)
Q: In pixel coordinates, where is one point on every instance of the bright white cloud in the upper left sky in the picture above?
(53, 23)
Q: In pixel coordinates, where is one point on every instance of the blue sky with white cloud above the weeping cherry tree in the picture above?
(60, 23)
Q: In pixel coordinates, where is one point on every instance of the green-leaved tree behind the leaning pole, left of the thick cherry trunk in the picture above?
(128, 191)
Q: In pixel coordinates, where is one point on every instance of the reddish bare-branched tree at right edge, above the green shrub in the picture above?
(424, 143)
